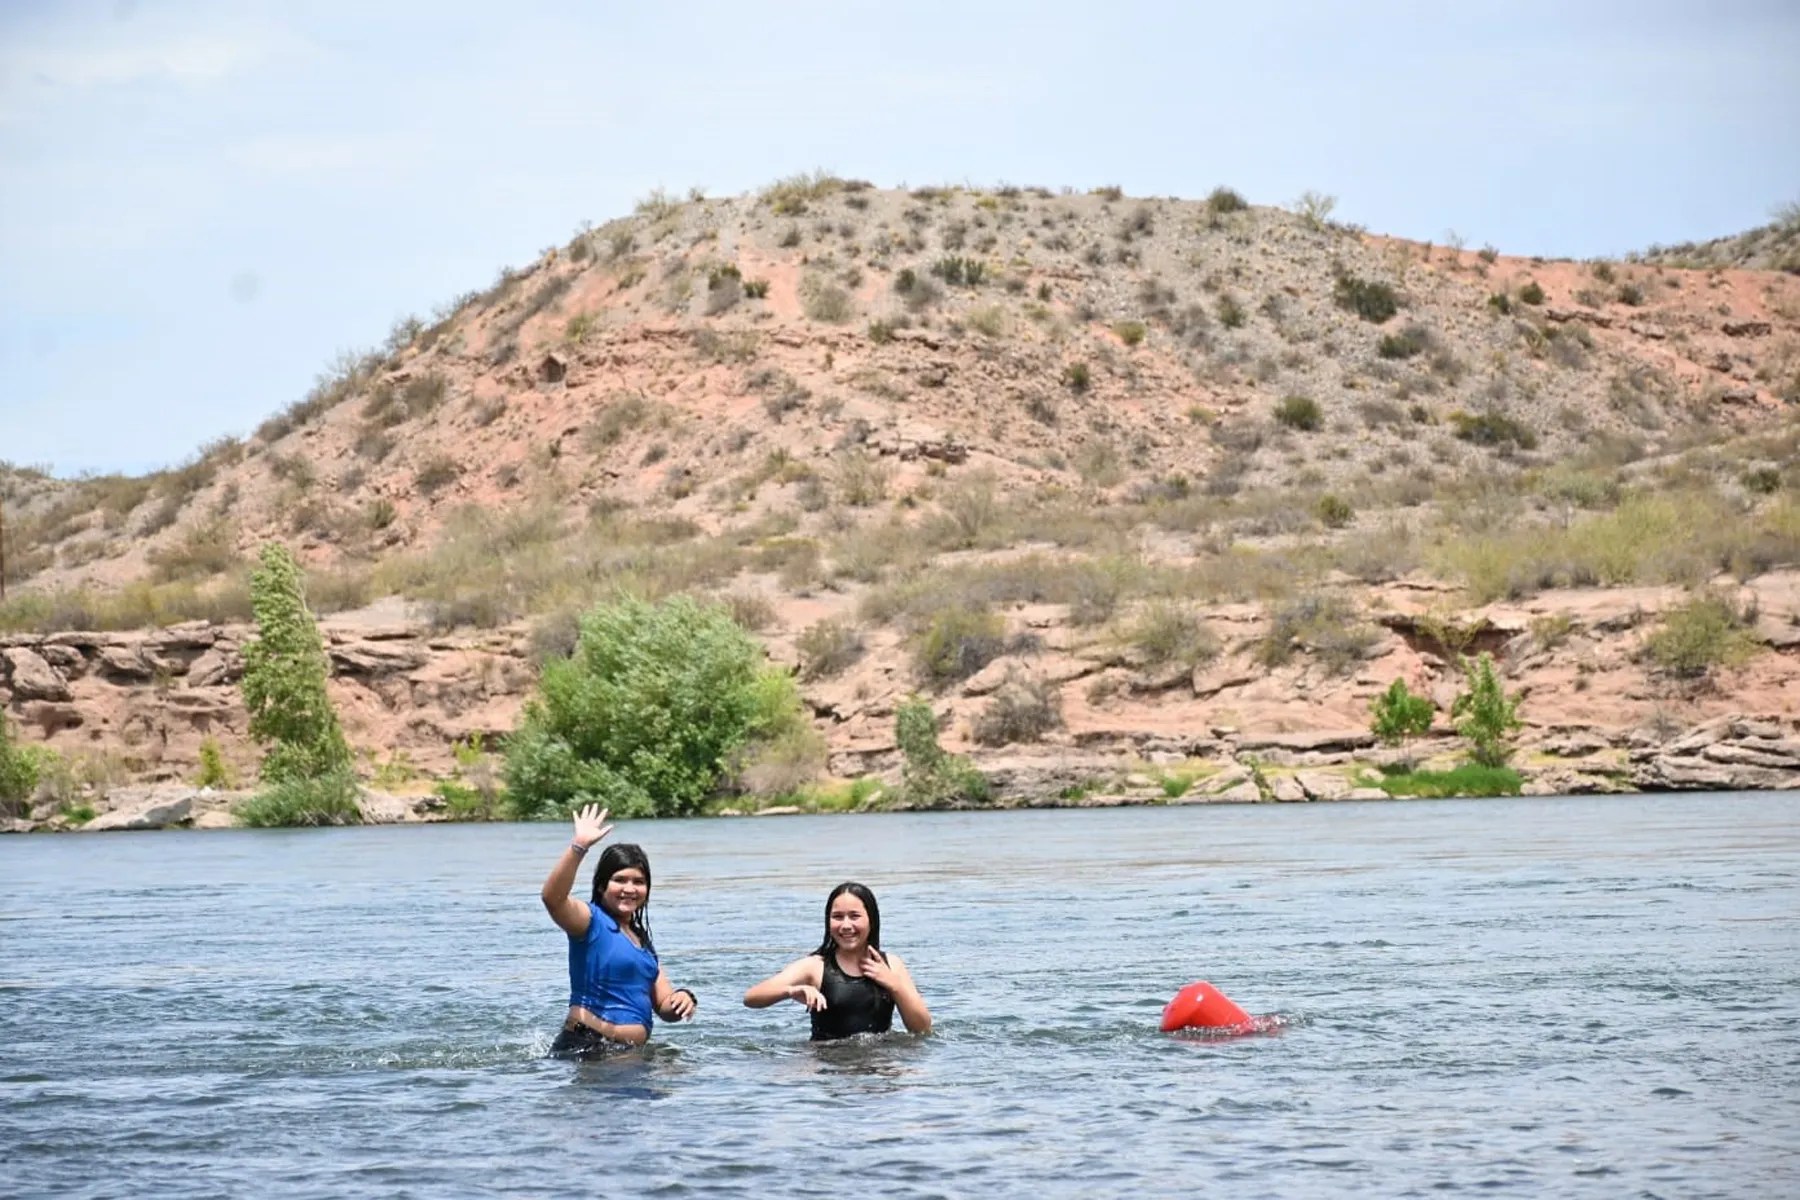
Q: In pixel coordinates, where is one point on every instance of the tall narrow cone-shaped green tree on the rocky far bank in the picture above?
(285, 679)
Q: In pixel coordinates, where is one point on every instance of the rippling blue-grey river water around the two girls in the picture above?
(1590, 996)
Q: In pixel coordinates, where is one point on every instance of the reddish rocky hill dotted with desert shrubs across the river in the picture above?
(1165, 478)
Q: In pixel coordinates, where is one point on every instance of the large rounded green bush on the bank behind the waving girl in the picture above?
(647, 713)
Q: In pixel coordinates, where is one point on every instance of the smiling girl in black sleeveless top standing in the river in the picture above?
(849, 983)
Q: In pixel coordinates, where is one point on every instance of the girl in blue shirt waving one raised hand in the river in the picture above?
(616, 981)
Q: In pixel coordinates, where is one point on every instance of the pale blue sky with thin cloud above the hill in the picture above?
(202, 204)
